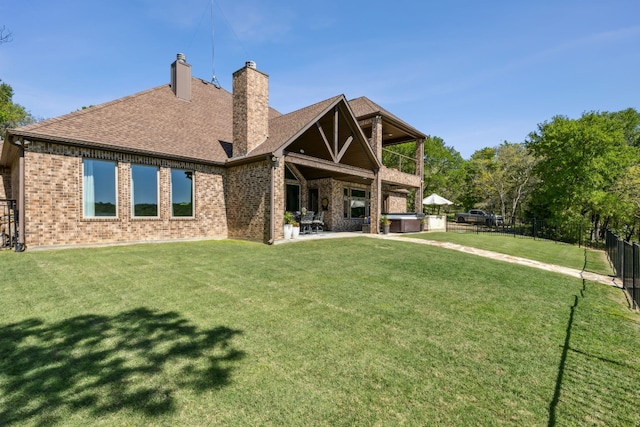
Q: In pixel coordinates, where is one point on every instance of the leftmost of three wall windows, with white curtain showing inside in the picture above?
(99, 188)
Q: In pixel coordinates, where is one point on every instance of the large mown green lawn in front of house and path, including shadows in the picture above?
(339, 332)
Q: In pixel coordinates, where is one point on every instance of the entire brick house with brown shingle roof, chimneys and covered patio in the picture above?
(192, 160)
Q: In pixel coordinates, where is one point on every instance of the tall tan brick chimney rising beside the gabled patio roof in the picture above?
(250, 109)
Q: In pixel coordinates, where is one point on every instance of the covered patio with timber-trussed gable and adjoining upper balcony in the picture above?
(334, 165)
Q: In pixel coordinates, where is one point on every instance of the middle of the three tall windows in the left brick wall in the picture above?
(144, 191)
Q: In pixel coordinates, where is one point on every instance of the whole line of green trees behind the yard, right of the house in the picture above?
(575, 172)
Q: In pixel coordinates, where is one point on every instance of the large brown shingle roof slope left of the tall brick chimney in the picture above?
(153, 122)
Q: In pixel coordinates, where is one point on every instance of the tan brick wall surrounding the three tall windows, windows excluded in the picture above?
(53, 199)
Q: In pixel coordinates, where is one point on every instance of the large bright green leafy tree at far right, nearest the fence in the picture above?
(579, 161)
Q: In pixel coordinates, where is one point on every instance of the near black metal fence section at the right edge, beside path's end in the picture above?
(625, 258)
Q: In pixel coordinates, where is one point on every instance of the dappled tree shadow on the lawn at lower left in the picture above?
(133, 361)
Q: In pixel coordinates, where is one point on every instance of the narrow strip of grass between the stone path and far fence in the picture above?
(547, 251)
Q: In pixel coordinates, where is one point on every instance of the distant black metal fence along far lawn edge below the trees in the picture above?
(530, 227)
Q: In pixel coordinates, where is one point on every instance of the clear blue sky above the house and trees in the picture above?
(475, 73)
